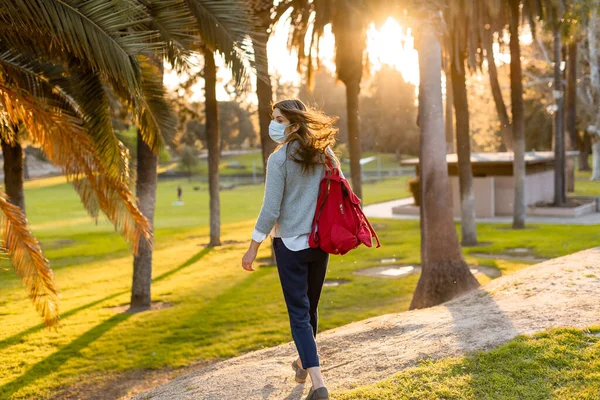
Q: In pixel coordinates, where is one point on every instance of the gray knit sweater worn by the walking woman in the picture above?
(290, 196)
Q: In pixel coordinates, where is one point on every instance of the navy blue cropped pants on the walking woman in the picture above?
(302, 274)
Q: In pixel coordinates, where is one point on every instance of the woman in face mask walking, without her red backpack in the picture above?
(294, 172)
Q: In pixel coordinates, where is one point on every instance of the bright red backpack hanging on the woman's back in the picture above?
(339, 224)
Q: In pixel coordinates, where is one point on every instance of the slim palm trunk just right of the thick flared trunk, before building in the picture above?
(463, 148)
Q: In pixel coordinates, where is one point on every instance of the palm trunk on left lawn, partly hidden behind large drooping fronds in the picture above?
(147, 163)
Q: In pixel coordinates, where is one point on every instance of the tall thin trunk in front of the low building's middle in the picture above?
(518, 125)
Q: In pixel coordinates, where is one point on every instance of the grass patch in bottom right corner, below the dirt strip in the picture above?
(557, 364)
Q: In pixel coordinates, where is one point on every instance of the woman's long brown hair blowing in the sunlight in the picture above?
(316, 132)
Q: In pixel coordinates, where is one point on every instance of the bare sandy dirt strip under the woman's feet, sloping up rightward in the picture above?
(559, 292)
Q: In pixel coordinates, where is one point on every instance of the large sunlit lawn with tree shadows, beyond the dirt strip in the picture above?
(214, 309)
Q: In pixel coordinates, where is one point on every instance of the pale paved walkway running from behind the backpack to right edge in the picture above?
(384, 210)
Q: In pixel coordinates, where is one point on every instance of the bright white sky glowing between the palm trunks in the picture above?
(390, 44)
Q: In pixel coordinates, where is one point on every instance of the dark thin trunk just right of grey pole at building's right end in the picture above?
(571, 110)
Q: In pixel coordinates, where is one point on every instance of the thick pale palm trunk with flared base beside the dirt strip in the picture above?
(444, 272)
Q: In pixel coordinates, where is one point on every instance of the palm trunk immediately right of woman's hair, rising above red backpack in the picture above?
(352, 92)
